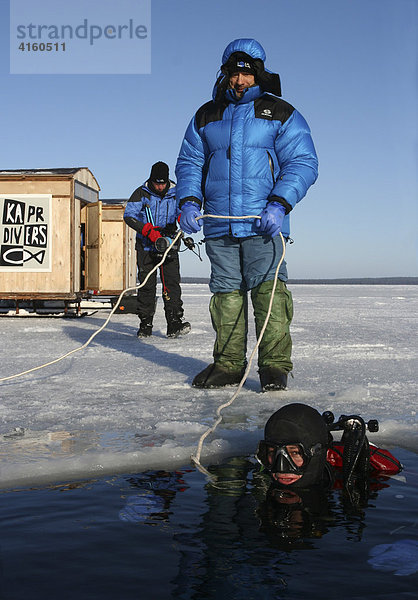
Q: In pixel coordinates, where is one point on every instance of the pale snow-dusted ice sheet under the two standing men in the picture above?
(124, 405)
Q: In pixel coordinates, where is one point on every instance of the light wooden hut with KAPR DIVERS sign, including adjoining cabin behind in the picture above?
(57, 241)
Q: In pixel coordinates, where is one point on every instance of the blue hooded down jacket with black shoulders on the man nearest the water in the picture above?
(239, 154)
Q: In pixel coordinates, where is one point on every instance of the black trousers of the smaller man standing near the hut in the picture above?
(170, 280)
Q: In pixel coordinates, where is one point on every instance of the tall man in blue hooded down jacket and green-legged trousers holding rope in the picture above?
(246, 152)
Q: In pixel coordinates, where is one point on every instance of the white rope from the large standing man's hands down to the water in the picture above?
(196, 457)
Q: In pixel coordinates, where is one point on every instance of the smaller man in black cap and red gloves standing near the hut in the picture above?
(152, 212)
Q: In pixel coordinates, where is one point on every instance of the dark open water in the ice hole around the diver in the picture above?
(161, 535)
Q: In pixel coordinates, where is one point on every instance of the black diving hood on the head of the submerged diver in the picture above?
(300, 423)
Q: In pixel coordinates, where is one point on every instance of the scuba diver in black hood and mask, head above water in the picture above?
(298, 449)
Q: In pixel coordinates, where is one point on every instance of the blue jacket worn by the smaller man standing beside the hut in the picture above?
(145, 206)
